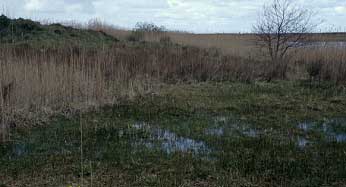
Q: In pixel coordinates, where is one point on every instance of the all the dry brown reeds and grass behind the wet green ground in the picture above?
(36, 83)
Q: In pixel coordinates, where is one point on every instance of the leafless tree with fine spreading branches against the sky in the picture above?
(282, 25)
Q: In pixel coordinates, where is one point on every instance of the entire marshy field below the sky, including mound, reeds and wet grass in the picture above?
(85, 107)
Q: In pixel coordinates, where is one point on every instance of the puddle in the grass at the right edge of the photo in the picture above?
(329, 129)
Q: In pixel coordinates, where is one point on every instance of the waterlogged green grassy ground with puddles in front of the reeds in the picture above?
(230, 134)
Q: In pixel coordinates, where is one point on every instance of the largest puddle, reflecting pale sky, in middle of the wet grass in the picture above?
(168, 141)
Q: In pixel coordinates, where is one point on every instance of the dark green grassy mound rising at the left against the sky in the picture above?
(26, 32)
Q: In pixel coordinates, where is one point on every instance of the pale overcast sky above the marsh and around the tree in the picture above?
(200, 16)
